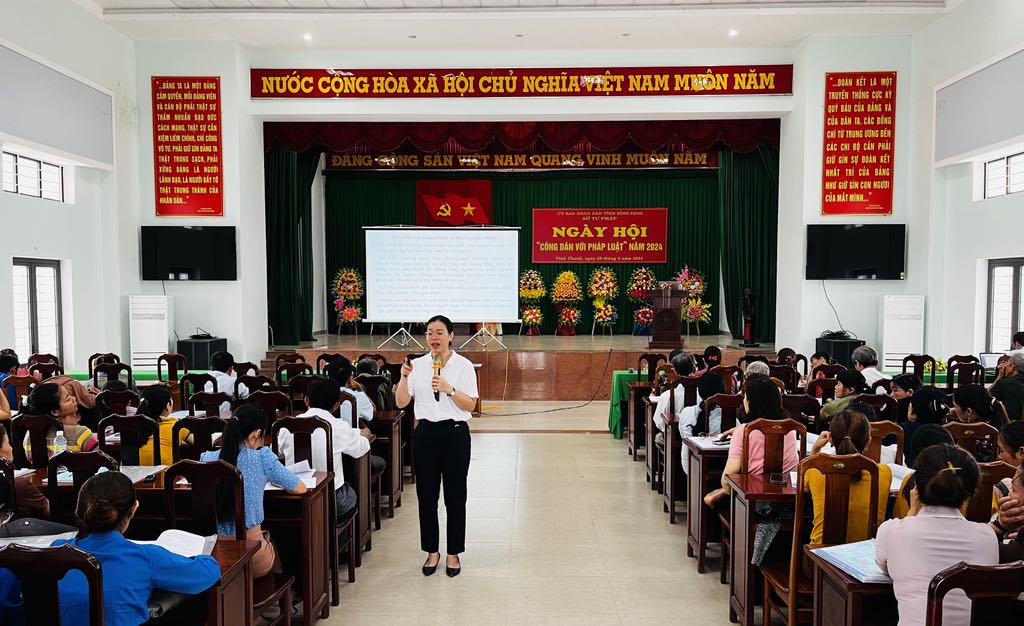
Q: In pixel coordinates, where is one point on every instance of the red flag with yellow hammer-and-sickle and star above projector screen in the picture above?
(453, 203)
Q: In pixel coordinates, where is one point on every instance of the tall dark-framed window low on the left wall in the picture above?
(37, 307)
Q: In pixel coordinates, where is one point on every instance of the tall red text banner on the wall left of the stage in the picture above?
(187, 146)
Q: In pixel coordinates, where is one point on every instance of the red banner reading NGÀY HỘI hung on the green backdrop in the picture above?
(601, 236)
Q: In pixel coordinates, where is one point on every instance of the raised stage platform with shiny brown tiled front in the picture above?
(543, 368)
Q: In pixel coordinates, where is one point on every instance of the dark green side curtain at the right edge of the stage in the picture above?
(749, 195)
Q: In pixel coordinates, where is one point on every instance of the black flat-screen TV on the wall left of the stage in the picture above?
(189, 254)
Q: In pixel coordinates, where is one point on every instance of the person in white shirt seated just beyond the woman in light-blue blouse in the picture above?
(323, 399)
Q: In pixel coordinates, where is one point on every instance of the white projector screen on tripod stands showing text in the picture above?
(467, 274)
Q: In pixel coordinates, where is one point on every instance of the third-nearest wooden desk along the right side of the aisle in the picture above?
(704, 475)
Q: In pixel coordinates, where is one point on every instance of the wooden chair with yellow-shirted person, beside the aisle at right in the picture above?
(787, 583)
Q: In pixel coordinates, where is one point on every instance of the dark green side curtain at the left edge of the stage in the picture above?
(288, 180)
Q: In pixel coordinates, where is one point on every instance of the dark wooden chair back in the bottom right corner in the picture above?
(983, 585)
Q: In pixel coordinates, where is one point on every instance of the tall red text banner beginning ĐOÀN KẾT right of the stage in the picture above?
(861, 127)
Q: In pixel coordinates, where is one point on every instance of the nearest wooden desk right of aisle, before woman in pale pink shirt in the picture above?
(841, 600)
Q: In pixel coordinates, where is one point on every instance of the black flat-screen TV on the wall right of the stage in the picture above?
(857, 252)
